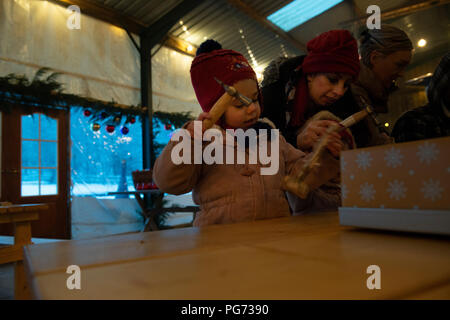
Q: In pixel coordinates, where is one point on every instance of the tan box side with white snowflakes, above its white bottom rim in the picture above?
(398, 176)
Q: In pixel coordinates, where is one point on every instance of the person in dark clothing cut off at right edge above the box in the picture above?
(433, 119)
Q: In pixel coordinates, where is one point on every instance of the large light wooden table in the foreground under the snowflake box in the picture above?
(303, 257)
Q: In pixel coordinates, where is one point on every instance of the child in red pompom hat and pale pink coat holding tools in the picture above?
(233, 192)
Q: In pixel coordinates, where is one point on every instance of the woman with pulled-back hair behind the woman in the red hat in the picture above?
(385, 53)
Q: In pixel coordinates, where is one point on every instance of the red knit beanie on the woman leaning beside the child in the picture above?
(335, 51)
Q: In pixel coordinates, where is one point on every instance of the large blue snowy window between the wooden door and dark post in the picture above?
(102, 162)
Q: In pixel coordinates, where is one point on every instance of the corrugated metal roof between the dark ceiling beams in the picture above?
(220, 20)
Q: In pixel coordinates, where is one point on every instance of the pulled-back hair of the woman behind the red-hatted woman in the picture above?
(386, 40)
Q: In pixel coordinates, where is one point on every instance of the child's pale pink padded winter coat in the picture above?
(228, 193)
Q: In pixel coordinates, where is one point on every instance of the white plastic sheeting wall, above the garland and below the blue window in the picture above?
(98, 61)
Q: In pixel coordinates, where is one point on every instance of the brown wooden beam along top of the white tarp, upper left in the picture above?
(112, 16)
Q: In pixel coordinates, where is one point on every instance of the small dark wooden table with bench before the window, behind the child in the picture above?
(149, 214)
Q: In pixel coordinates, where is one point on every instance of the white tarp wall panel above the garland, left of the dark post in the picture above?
(98, 60)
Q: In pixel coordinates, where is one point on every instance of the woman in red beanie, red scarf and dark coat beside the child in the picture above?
(295, 89)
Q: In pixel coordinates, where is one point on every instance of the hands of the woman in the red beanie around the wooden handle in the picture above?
(309, 136)
